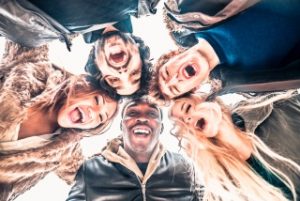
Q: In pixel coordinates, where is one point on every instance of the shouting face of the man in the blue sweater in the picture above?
(183, 73)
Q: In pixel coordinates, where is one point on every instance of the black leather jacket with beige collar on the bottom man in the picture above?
(114, 175)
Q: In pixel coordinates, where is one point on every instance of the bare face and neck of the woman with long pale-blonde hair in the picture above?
(207, 119)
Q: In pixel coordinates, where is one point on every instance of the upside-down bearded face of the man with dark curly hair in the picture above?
(120, 63)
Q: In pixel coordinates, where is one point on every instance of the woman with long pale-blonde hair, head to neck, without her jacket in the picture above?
(231, 159)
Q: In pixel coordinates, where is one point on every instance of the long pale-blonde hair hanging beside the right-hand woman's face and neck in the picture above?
(226, 175)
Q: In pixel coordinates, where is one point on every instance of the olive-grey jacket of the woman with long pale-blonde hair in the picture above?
(277, 124)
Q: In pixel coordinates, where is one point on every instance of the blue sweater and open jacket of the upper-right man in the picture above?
(256, 41)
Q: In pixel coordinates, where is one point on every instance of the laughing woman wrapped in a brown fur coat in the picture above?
(44, 113)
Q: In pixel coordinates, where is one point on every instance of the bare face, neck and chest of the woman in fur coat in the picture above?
(81, 112)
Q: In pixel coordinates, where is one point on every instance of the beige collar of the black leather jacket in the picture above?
(115, 152)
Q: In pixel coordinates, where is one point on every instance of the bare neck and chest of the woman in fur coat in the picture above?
(39, 122)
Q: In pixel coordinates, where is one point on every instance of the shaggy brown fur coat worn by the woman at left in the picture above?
(25, 73)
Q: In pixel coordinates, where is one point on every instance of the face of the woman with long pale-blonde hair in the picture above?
(201, 116)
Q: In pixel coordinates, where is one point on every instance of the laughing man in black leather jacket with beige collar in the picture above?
(136, 166)
